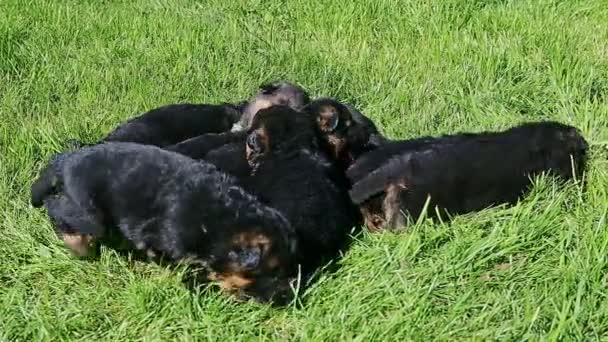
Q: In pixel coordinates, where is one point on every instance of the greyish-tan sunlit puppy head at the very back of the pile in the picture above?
(272, 94)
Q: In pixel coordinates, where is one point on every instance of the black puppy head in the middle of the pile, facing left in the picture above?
(279, 130)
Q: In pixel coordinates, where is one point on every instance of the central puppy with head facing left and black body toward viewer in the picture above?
(292, 175)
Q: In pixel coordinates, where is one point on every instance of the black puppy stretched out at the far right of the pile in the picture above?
(461, 173)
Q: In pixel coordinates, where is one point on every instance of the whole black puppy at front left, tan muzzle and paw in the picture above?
(171, 206)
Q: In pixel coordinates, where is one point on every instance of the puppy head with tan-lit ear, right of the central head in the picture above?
(347, 132)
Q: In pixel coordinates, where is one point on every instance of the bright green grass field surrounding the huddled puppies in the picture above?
(75, 69)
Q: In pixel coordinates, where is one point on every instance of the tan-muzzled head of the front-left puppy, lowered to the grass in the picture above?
(255, 259)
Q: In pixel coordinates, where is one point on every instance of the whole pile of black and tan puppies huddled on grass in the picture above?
(259, 194)
